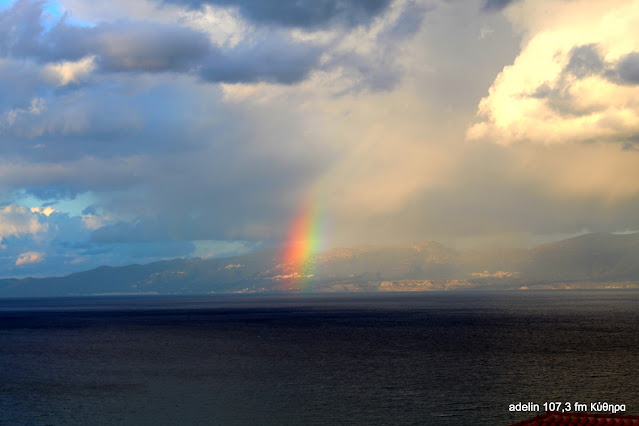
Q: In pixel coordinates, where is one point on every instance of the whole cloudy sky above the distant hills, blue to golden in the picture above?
(138, 130)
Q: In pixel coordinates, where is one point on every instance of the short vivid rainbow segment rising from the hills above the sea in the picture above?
(305, 238)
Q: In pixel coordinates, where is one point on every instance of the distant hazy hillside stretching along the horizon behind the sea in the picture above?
(588, 261)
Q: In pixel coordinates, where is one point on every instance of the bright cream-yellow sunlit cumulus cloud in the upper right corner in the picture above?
(572, 81)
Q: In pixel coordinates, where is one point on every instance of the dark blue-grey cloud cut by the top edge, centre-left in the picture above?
(299, 13)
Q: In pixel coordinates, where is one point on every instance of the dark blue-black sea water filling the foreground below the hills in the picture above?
(420, 358)
